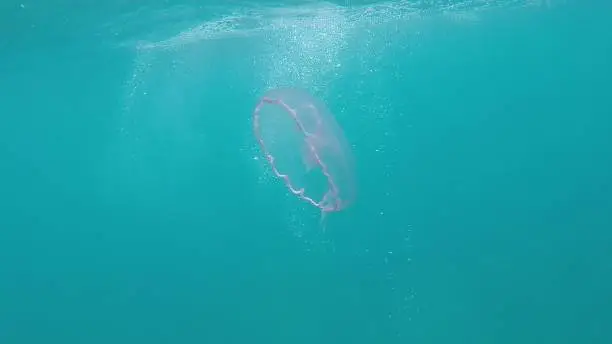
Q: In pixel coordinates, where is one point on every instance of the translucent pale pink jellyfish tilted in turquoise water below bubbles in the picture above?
(305, 148)
